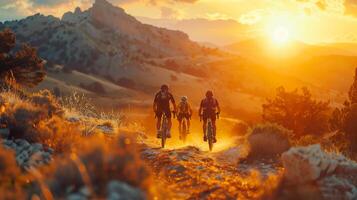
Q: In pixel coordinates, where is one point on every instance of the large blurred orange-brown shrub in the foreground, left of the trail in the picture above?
(95, 164)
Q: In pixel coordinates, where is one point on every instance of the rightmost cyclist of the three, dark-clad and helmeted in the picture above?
(209, 109)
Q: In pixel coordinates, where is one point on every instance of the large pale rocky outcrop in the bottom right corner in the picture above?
(334, 174)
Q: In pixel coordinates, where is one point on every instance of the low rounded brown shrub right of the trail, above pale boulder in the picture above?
(268, 141)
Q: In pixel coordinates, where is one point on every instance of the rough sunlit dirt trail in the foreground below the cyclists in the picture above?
(187, 172)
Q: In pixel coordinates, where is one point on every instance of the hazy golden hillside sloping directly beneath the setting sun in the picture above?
(303, 61)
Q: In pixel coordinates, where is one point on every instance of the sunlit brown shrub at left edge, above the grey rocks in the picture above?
(39, 119)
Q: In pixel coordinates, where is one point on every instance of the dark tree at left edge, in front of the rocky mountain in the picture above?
(24, 65)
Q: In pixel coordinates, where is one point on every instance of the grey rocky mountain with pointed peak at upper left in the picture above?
(102, 36)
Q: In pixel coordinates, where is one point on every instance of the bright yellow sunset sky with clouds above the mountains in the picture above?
(310, 21)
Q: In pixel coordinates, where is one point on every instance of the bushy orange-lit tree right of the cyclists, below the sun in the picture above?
(297, 112)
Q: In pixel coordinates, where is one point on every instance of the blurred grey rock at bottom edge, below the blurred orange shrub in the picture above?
(121, 191)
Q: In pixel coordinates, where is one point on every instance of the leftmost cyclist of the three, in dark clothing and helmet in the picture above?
(162, 105)
